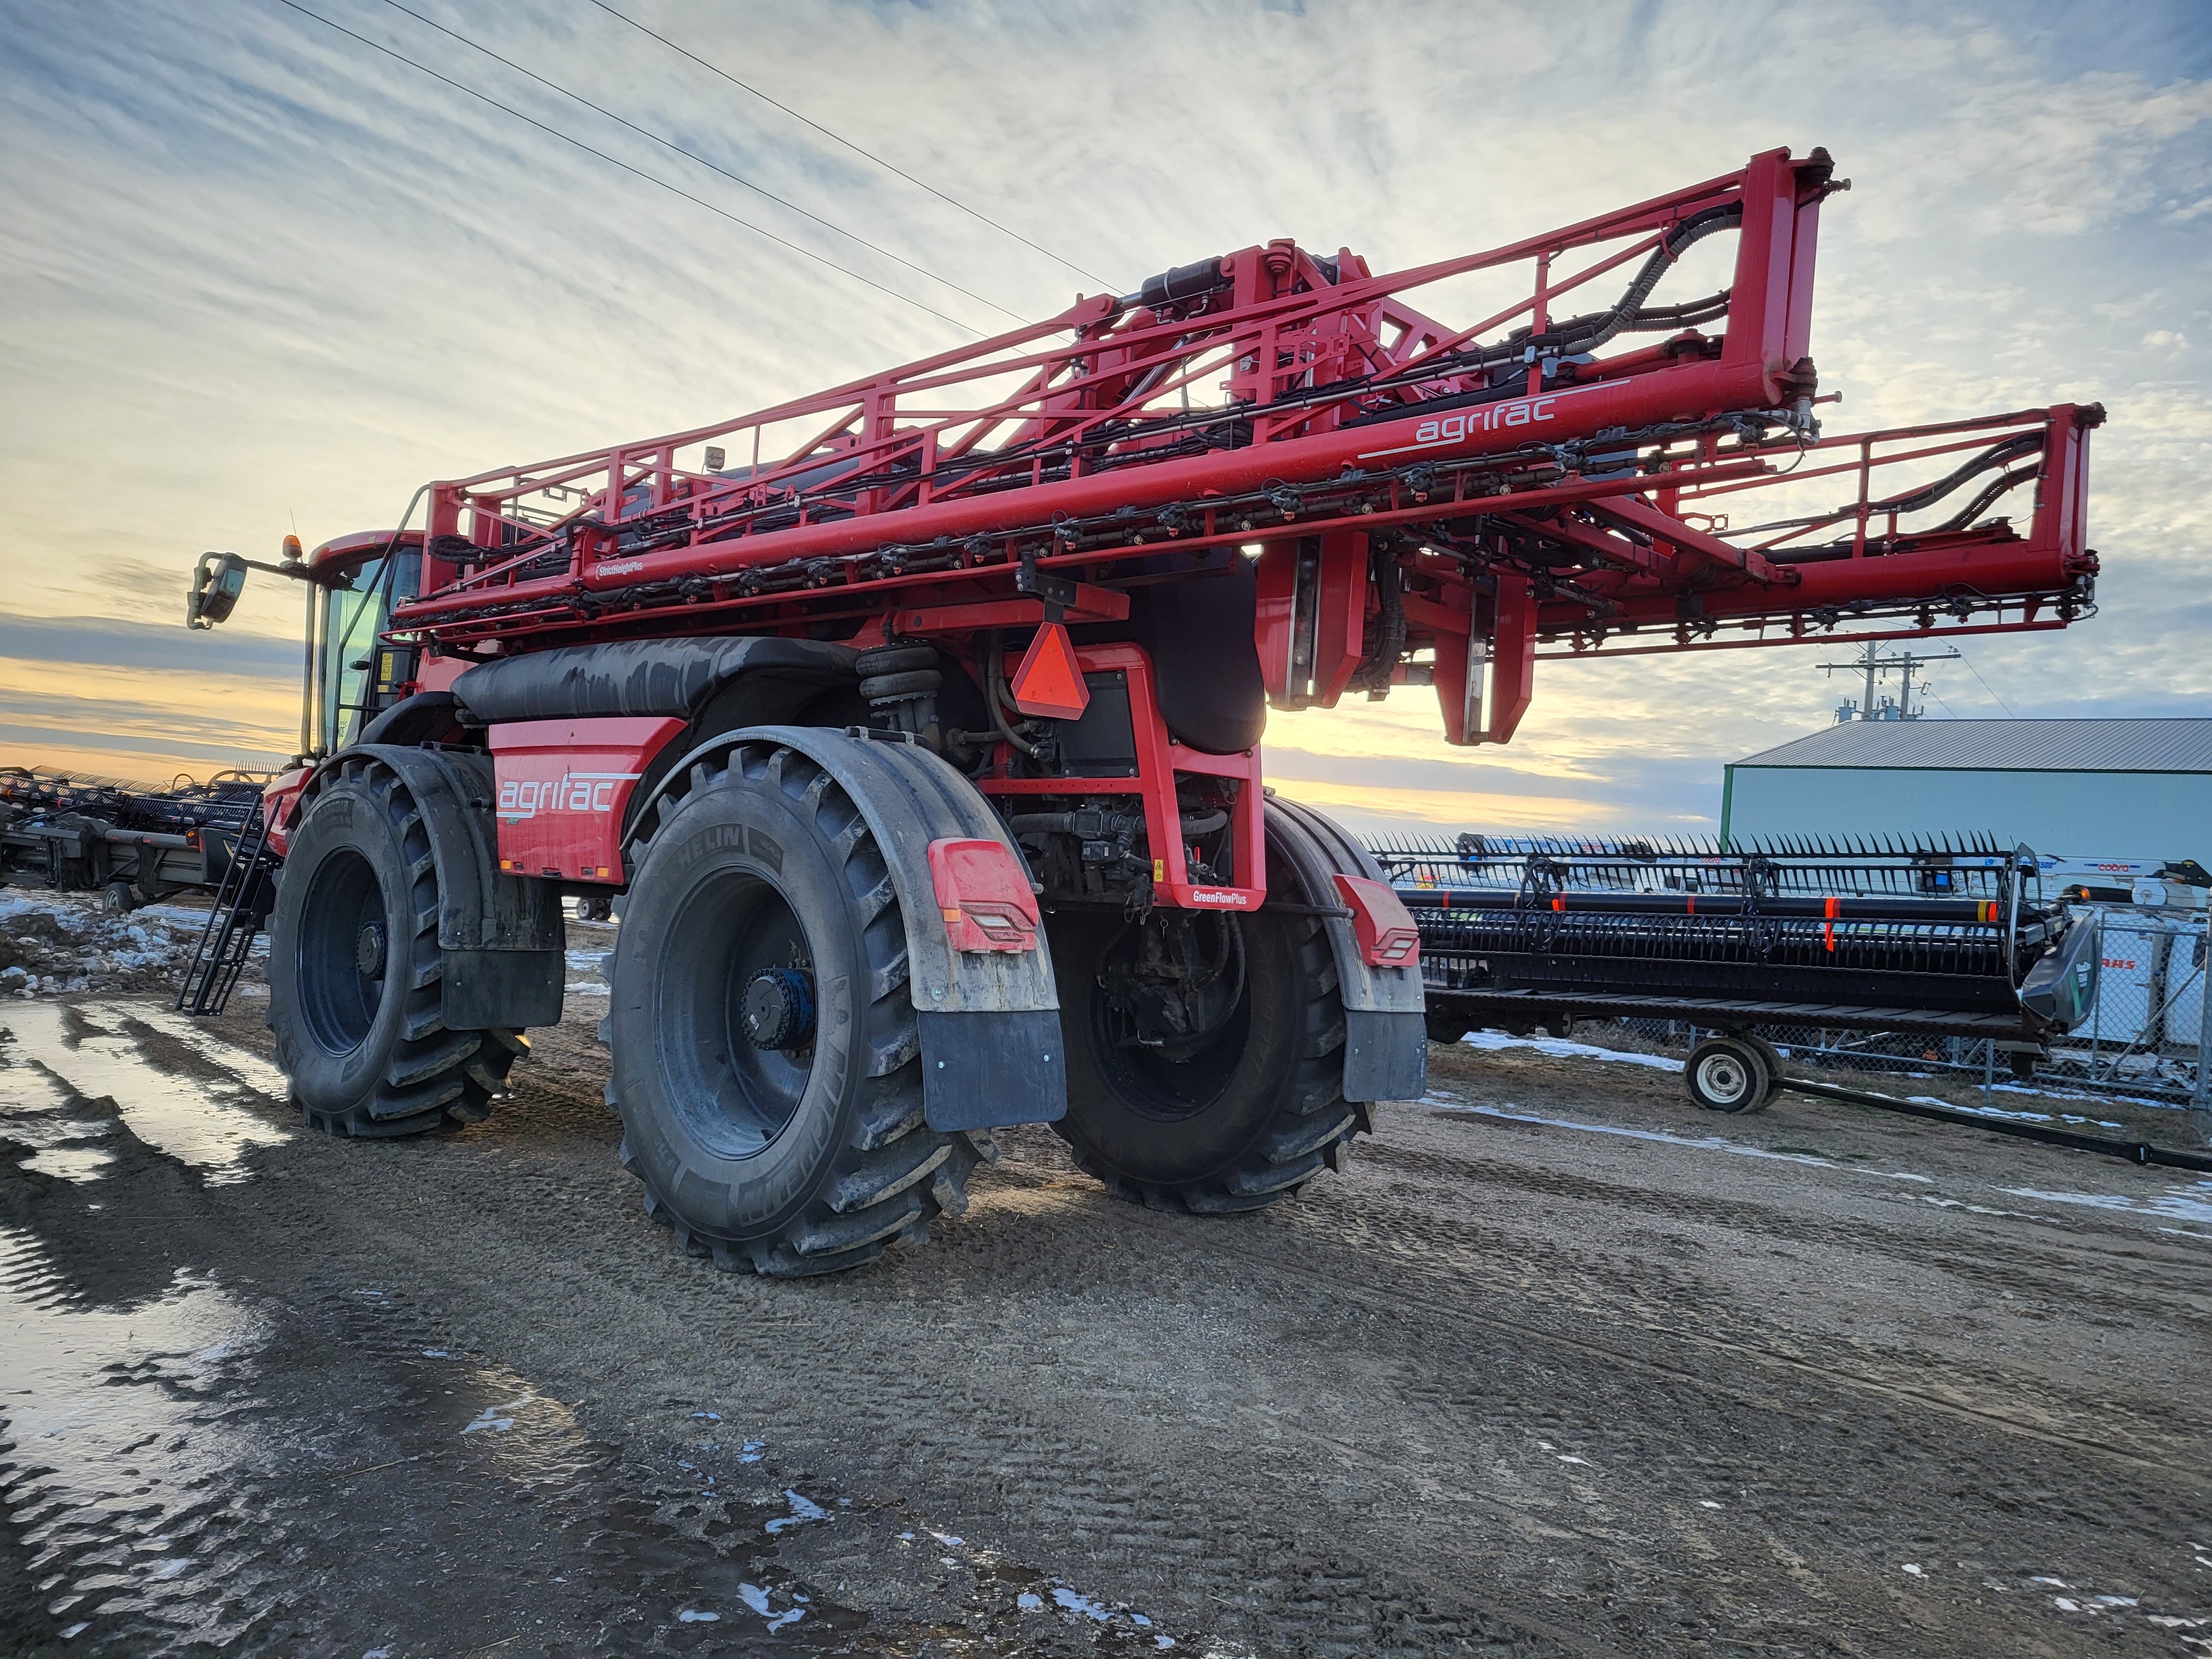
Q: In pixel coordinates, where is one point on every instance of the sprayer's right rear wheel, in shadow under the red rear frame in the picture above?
(1231, 1116)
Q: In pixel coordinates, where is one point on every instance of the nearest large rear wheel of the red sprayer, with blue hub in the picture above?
(766, 1054)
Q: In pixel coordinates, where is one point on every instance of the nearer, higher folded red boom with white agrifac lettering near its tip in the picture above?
(1200, 408)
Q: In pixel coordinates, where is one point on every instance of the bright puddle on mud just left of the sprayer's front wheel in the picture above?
(207, 1123)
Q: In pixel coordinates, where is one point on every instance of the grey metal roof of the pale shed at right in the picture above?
(2005, 747)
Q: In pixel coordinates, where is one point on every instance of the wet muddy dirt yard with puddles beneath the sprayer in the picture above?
(1558, 1368)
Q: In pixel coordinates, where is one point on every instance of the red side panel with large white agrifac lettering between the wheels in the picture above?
(565, 789)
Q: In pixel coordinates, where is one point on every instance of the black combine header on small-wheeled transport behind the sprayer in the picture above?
(1908, 939)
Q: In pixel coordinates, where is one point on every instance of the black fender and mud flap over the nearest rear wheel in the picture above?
(990, 1021)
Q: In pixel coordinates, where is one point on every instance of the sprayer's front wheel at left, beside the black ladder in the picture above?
(357, 994)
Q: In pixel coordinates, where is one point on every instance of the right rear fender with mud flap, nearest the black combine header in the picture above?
(1386, 1027)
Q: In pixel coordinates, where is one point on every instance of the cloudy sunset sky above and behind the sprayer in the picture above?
(258, 275)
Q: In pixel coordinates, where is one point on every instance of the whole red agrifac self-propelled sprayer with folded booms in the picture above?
(921, 720)
